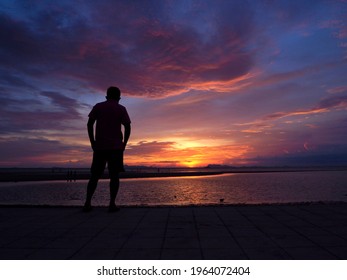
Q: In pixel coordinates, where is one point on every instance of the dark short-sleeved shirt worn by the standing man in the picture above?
(109, 116)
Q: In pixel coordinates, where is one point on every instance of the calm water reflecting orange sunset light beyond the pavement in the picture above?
(223, 189)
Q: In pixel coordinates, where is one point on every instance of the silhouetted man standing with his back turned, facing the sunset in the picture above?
(108, 144)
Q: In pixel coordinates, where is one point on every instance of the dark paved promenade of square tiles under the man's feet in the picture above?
(271, 232)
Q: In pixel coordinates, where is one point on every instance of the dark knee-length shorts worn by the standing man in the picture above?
(113, 158)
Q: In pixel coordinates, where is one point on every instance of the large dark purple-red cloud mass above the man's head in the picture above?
(135, 48)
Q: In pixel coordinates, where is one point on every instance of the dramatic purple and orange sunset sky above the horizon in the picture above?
(204, 82)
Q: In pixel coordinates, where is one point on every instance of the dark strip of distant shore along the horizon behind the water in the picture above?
(65, 174)
